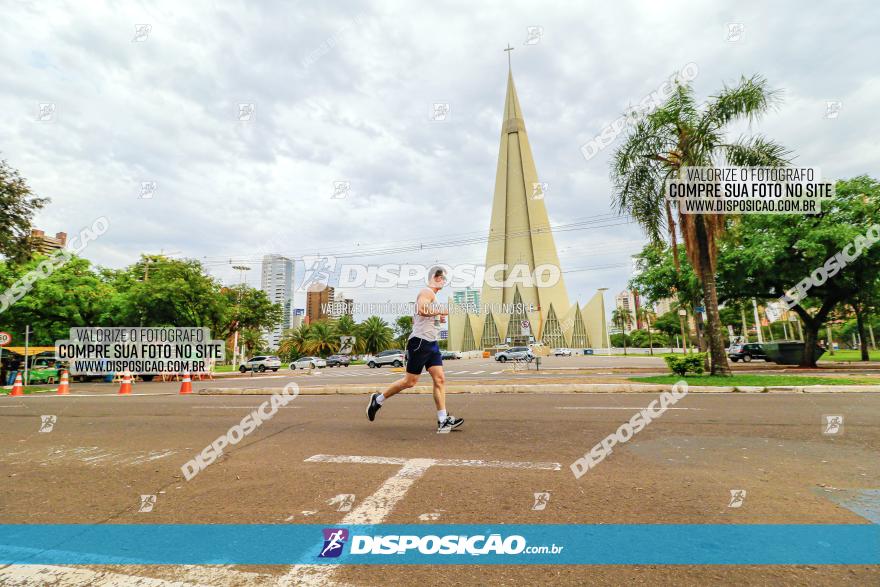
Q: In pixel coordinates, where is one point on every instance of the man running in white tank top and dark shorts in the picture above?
(423, 352)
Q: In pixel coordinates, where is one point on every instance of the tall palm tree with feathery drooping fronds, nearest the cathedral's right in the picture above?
(681, 133)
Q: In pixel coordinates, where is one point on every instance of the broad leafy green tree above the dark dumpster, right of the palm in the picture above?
(767, 255)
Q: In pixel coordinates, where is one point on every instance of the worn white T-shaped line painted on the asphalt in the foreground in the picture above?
(374, 509)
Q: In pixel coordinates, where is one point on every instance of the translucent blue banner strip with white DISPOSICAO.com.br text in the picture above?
(424, 544)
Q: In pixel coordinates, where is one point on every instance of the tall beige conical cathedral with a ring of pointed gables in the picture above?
(519, 305)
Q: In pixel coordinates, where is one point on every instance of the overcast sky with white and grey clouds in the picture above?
(344, 93)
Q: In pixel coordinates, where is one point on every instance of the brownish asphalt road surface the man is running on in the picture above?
(104, 452)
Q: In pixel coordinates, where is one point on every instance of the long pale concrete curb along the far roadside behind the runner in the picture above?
(543, 388)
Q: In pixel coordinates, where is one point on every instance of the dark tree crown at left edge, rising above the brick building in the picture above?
(17, 207)
